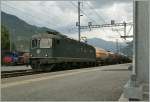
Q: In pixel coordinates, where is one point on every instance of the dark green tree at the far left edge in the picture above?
(5, 41)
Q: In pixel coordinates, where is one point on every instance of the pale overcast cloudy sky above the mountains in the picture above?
(63, 15)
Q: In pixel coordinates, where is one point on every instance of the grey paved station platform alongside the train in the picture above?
(103, 83)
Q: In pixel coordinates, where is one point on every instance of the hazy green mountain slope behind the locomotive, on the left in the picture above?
(20, 31)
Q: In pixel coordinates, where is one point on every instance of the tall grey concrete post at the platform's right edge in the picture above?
(138, 84)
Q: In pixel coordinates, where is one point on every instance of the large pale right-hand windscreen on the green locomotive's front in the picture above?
(45, 43)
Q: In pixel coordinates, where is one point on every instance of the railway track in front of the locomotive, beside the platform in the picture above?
(15, 73)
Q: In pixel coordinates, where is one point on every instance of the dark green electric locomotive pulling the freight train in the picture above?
(49, 50)
